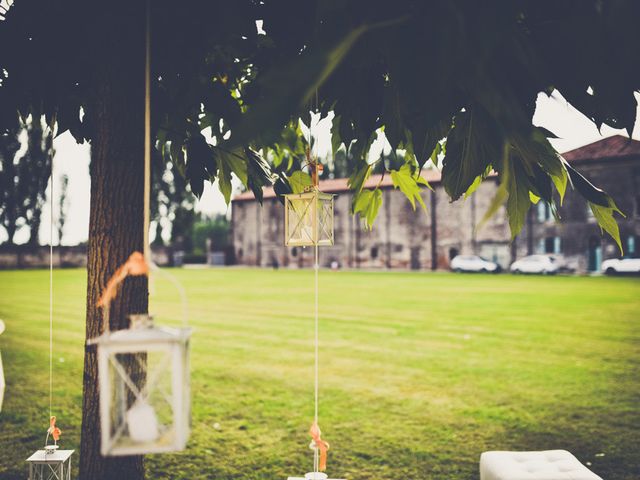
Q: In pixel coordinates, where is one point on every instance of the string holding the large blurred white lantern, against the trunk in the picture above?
(147, 136)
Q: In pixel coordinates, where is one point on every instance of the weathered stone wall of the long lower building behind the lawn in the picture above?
(400, 238)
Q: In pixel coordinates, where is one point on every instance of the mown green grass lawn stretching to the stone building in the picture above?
(420, 372)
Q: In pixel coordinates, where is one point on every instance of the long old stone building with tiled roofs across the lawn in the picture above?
(407, 239)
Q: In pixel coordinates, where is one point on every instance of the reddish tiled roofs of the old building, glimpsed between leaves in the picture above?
(617, 146)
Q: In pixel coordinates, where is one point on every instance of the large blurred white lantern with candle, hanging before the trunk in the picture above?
(144, 388)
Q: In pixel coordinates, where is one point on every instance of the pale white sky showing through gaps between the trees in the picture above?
(72, 159)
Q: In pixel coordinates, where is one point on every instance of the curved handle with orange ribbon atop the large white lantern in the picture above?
(136, 265)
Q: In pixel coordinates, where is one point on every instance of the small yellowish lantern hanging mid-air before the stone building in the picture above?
(308, 219)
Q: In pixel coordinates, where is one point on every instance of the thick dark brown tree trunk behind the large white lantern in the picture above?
(116, 212)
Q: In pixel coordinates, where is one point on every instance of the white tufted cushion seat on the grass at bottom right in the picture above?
(547, 465)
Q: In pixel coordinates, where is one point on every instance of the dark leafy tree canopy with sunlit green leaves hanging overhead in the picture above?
(421, 71)
